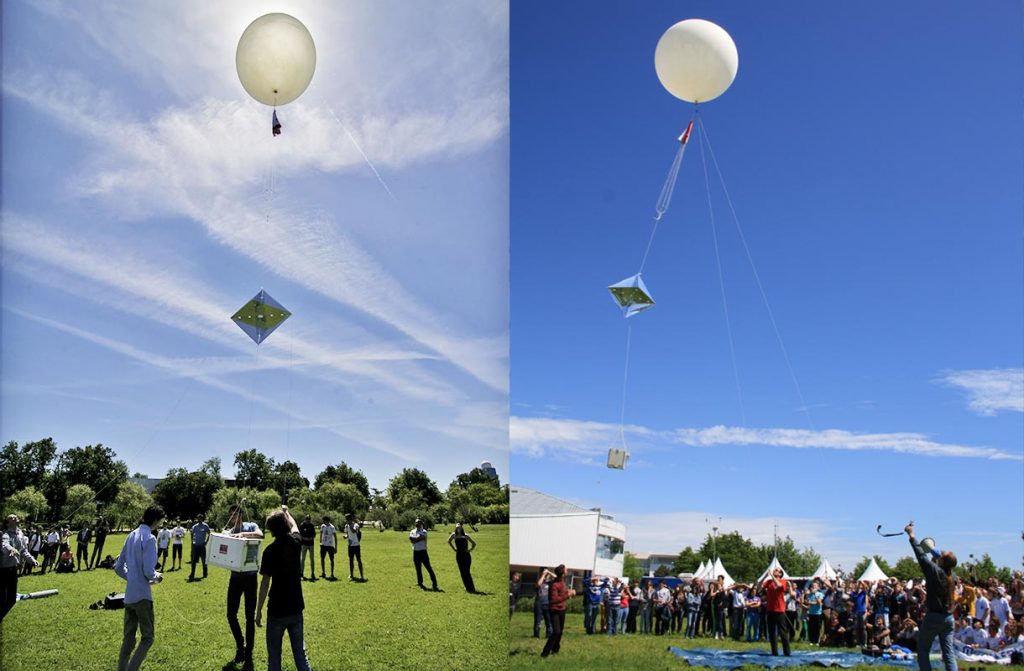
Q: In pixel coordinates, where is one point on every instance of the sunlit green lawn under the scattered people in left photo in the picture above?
(385, 623)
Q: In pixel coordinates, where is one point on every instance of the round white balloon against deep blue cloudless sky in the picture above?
(696, 61)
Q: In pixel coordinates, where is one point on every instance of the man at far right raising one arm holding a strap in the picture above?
(940, 593)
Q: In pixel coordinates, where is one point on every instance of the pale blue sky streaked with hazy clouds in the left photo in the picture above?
(145, 201)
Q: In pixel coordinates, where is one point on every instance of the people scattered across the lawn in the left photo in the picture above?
(157, 547)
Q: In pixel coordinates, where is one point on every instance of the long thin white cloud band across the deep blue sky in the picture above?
(586, 441)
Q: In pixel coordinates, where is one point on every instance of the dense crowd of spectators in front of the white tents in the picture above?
(839, 613)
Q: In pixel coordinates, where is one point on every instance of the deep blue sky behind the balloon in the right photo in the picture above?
(872, 153)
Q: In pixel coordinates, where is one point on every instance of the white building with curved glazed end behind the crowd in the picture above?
(546, 532)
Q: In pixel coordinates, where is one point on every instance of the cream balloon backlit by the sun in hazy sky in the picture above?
(276, 59)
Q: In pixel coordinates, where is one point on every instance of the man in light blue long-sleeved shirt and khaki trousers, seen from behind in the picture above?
(137, 565)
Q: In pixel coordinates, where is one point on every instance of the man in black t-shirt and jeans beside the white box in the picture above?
(283, 580)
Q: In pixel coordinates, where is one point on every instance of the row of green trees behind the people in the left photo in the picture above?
(75, 486)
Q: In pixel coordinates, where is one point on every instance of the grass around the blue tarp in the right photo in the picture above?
(580, 652)
